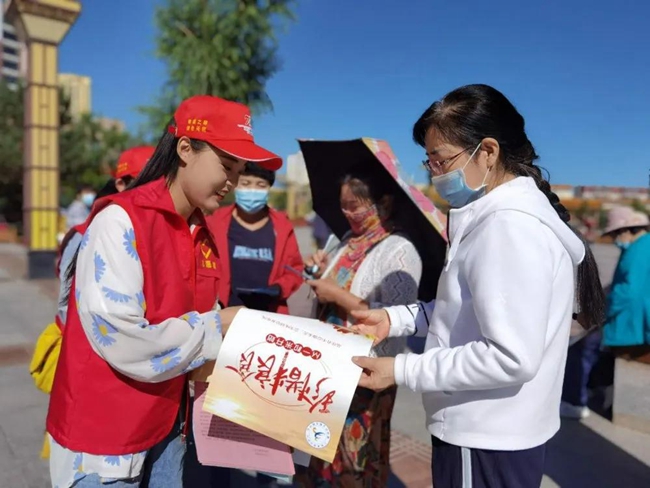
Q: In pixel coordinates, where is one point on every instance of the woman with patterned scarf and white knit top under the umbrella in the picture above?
(373, 267)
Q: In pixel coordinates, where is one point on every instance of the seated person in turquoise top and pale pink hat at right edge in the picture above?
(589, 375)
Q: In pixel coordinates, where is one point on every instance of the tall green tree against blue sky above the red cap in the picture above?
(226, 48)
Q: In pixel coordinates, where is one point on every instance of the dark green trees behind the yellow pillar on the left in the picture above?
(87, 151)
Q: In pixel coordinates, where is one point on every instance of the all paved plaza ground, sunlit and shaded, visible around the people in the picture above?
(591, 453)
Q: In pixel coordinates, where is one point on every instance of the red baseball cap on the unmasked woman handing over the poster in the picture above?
(224, 124)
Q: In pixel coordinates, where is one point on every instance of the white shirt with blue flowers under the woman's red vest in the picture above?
(111, 307)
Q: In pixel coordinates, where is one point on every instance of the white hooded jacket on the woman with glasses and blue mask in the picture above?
(497, 341)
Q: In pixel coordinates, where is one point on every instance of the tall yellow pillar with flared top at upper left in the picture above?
(42, 25)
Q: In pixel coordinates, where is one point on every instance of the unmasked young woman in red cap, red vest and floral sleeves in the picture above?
(143, 306)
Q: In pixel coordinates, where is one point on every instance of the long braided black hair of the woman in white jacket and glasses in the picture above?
(469, 114)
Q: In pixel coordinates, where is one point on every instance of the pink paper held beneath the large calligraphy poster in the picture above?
(220, 442)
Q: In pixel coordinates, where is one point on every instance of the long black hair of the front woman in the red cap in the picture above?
(163, 163)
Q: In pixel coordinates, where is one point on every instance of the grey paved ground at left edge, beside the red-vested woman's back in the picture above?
(25, 308)
